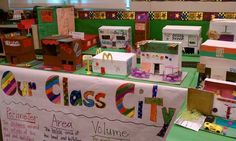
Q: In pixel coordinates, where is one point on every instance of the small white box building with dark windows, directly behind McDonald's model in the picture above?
(115, 36)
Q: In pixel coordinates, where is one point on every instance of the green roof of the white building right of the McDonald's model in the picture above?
(160, 47)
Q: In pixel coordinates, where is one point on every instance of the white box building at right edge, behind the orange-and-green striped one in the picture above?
(224, 28)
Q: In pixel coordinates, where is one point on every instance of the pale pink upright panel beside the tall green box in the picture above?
(65, 20)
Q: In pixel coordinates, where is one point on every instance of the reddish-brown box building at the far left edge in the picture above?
(18, 49)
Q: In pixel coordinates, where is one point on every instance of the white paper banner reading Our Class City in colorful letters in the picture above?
(38, 105)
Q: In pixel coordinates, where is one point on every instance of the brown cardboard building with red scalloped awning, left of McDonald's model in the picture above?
(63, 52)
